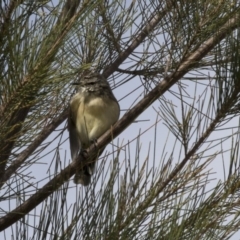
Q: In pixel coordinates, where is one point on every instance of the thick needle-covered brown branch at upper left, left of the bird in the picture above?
(17, 101)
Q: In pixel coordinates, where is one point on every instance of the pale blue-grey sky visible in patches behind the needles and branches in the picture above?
(40, 170)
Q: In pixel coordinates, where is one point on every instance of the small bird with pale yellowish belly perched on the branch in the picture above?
(93, 110)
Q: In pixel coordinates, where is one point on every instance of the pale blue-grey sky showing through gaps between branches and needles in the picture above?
(151, 133)
